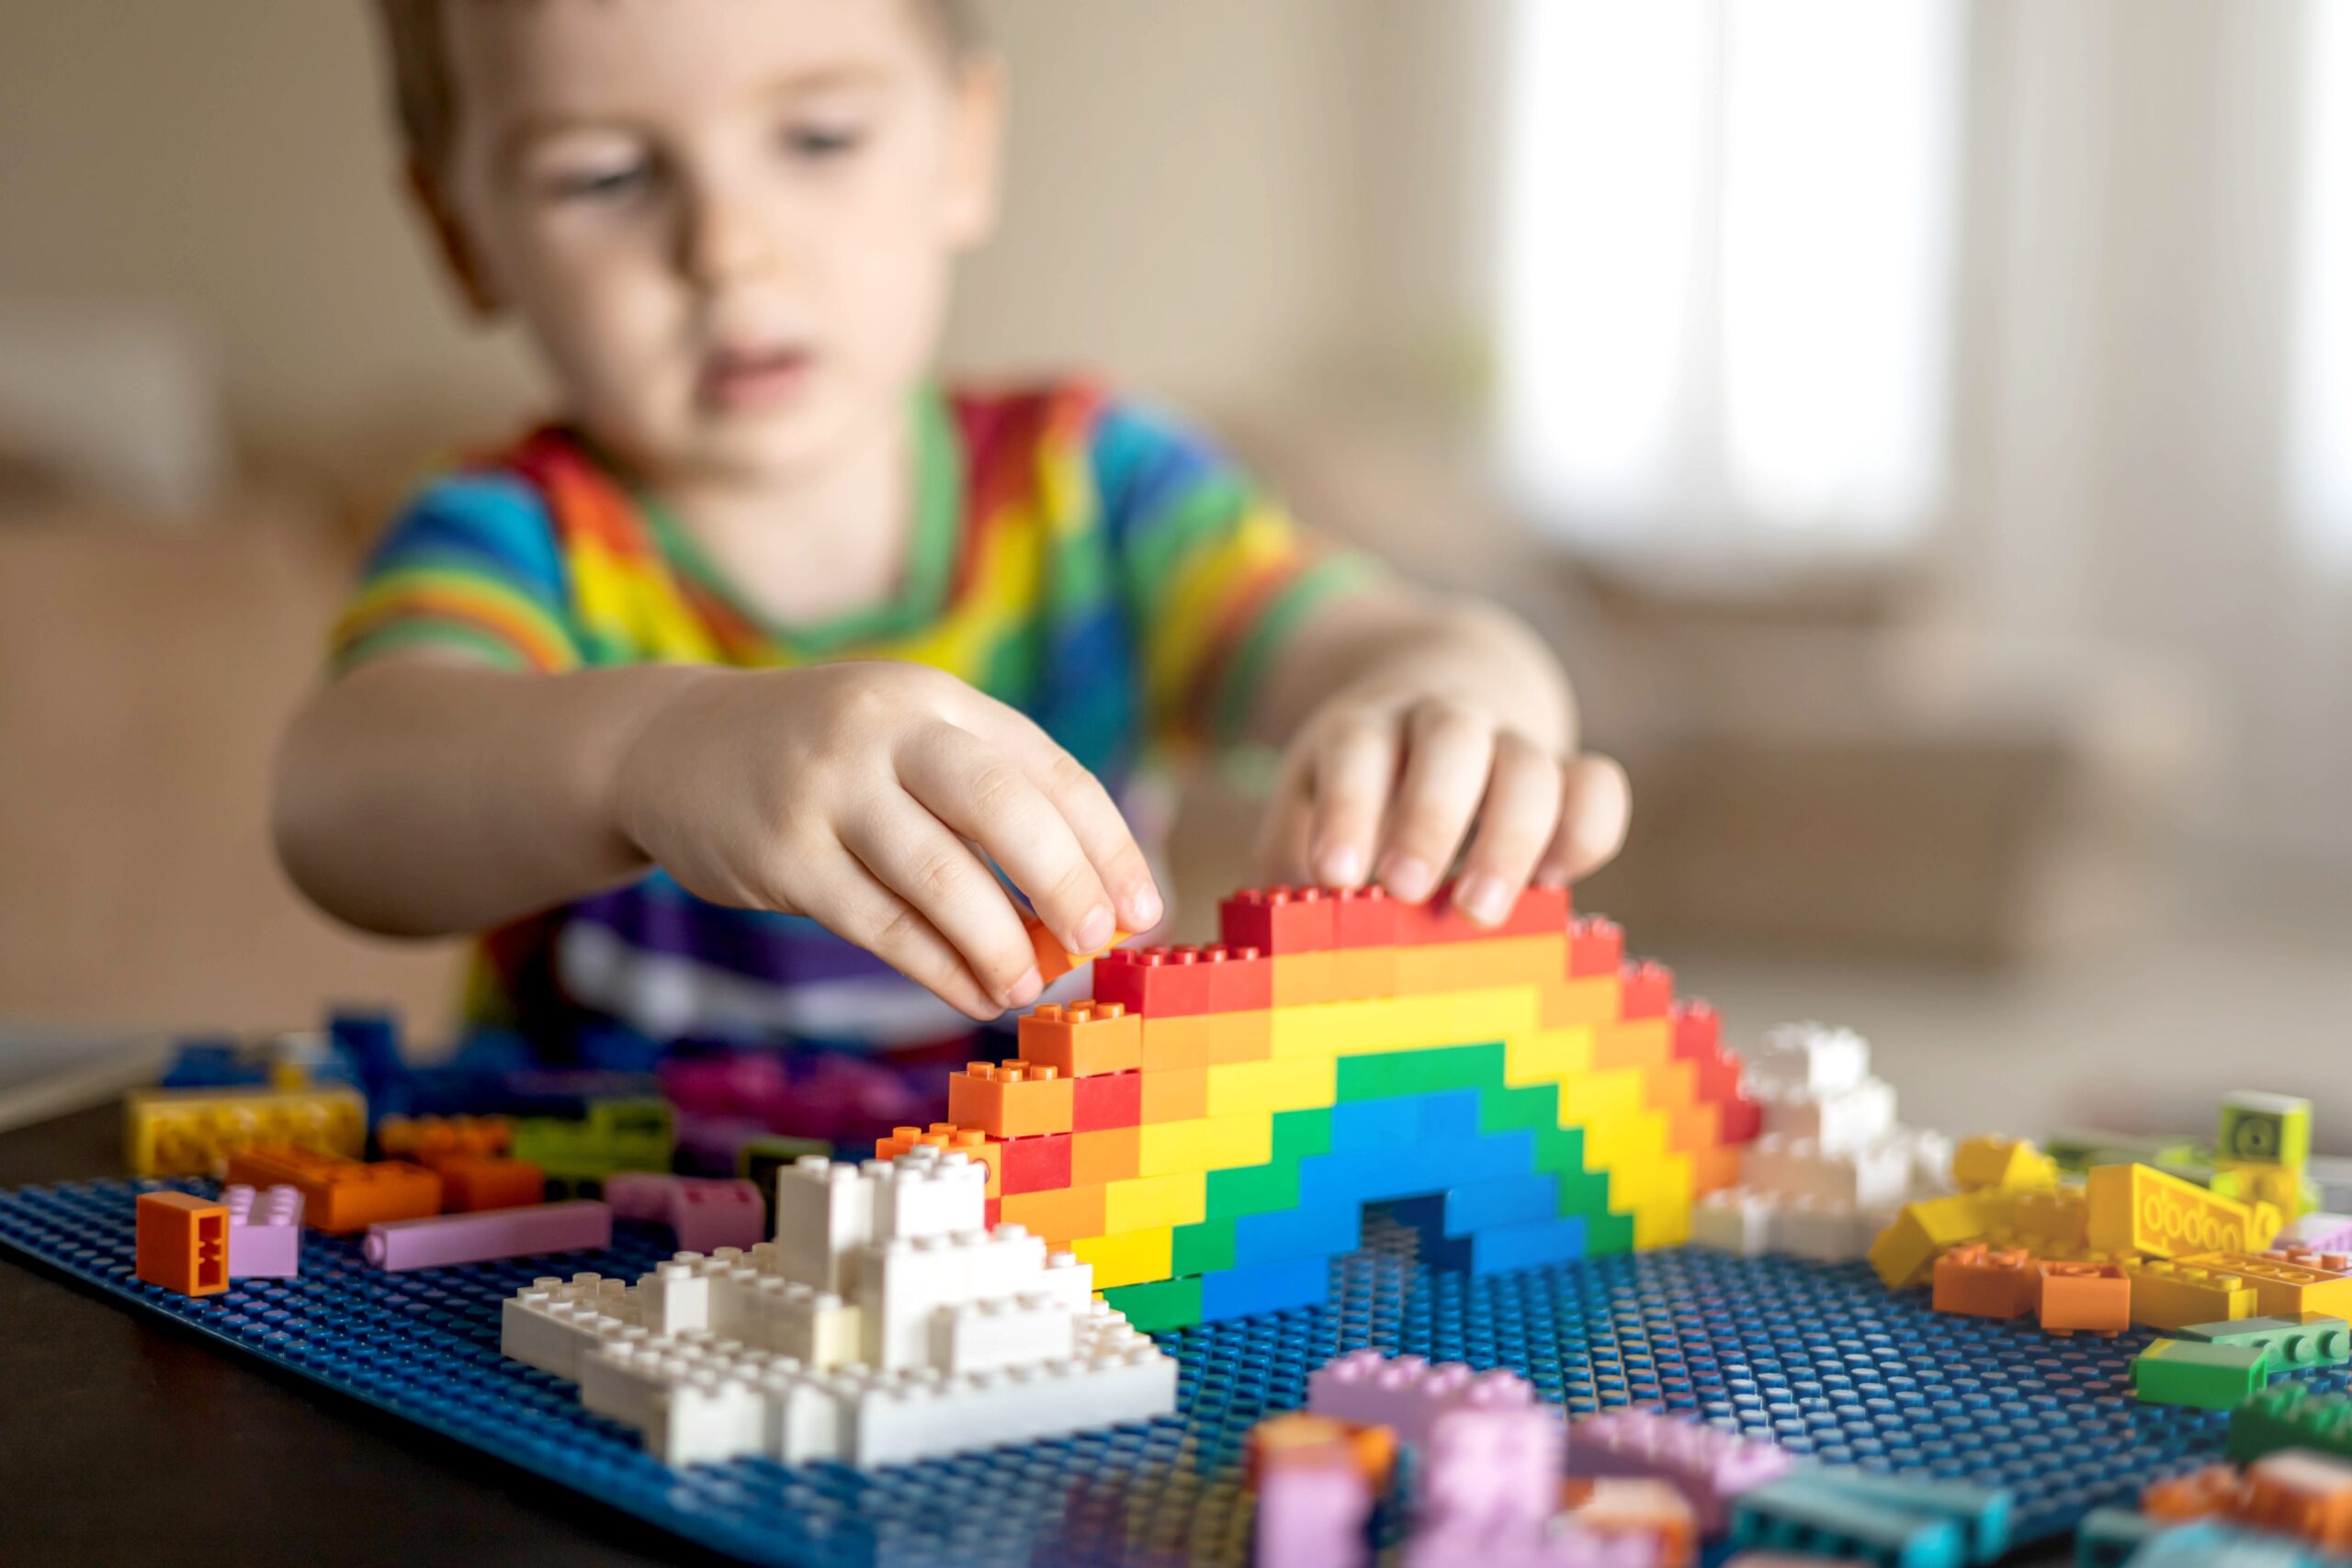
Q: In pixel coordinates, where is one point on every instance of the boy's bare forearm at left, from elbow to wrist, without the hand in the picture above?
(425, 798)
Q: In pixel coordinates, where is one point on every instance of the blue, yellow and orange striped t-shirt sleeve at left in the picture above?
(472, 565)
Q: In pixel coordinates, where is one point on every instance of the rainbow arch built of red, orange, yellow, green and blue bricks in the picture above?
(1210, 1127)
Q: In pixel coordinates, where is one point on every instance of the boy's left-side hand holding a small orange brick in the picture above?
(855, 796)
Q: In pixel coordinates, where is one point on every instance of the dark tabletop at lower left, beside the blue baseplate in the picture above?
(126, 1440)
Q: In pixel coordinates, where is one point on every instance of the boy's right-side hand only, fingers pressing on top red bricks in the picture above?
(1401, 772)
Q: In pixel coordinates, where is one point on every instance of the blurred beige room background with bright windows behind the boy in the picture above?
(1923, 422)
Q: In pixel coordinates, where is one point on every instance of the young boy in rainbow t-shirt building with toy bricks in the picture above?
(740, 688)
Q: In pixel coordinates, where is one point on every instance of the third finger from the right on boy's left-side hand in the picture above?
(914, 855)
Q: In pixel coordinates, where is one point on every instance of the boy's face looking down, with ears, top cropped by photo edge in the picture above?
(728, 222)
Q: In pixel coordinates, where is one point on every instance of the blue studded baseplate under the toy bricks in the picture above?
(1815, 1358)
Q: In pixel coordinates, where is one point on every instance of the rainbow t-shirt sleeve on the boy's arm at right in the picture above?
(1212, 568)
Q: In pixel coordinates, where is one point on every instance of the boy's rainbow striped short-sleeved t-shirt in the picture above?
(1078, 558)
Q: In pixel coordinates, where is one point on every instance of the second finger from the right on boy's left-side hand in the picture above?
(984, 796)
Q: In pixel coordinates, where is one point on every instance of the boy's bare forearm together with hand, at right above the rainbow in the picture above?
(1417, 730)
